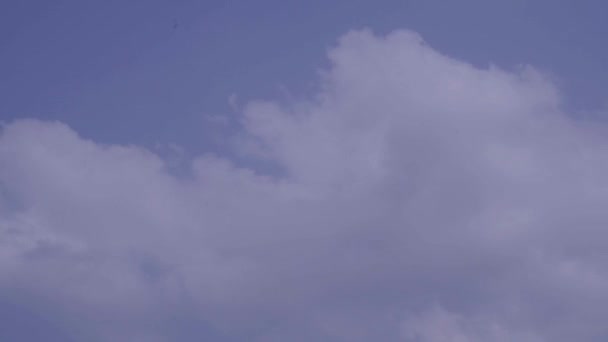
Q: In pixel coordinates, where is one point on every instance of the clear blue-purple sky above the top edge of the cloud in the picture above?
(106, 67)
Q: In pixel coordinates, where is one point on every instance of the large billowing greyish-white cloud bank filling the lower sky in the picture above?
(416, 198)
